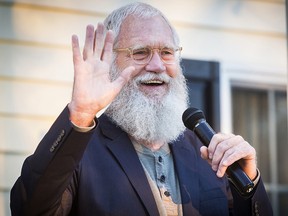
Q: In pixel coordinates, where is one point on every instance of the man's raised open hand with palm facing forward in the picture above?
(93, 89)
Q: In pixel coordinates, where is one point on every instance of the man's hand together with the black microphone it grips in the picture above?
(225, 152)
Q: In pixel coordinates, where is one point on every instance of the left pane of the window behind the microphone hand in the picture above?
(250, 120)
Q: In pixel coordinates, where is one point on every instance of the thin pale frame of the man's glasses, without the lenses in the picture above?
(131, 49)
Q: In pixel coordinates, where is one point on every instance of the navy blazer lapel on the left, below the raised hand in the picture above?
(123, 150)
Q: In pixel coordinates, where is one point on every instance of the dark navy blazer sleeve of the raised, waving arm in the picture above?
(47, 173)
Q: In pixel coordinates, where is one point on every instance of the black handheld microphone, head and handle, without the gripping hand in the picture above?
(194, 120)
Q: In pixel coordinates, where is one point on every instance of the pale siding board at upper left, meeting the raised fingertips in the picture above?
(26, 24)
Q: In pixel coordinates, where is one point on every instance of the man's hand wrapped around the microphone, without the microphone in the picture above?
(225, 149)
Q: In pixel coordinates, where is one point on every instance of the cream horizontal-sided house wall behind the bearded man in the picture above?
(246, 37)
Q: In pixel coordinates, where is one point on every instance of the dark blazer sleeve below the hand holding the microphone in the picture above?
(256, 204)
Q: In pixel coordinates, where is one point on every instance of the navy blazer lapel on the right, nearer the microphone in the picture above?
(185, 160)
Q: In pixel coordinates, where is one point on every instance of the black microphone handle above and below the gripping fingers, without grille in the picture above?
(235, 173)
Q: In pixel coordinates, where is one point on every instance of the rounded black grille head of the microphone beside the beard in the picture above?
(191, 117)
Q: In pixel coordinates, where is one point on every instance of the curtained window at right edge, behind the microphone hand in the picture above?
(260, 115)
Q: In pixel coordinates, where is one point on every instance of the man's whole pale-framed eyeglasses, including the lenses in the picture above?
(143, 55)
